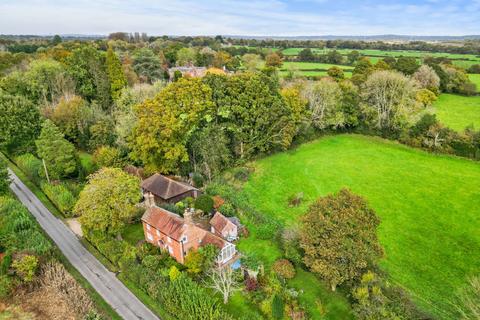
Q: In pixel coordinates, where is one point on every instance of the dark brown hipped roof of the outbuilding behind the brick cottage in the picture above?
(164, 187)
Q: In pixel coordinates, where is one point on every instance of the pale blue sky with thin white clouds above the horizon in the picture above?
(232, 17)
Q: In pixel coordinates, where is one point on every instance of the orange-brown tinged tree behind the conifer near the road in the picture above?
(73, 116)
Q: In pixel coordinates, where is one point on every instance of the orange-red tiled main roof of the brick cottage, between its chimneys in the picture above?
(164, 221)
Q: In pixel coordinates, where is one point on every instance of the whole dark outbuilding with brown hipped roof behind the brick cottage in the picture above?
(167, 190)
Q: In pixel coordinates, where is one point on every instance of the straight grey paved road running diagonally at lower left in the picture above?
(107, 285)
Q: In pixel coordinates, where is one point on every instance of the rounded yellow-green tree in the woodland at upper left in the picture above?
(47, 81)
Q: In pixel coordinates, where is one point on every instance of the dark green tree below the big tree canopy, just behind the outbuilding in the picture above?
(207, 157)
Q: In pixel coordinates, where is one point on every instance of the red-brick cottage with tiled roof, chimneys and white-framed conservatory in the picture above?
(178, 235)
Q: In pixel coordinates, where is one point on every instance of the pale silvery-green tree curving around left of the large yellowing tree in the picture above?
(123, 113)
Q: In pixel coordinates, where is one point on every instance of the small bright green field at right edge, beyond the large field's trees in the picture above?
(458, 112)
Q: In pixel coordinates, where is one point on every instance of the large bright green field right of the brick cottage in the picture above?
(429, 206)
